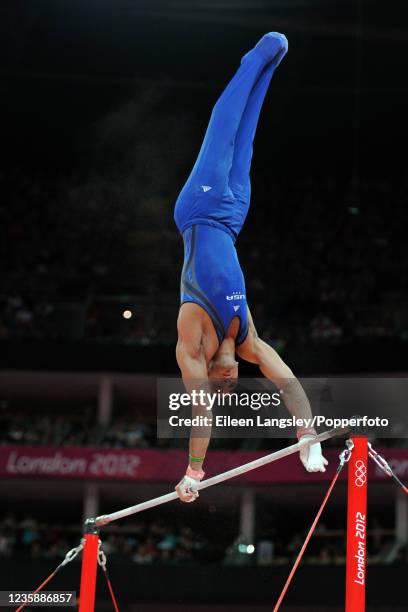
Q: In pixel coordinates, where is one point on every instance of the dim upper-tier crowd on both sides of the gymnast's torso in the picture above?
(324, 260)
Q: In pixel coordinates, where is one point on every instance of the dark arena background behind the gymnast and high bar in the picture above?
(103, 107)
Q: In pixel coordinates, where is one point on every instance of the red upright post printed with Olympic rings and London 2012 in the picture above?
(357, 526)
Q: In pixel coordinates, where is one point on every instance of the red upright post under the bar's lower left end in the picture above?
(88, 572)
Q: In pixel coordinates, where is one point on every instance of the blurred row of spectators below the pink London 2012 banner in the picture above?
(166, 542)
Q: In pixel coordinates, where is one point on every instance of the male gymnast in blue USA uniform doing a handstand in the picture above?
(214, 320)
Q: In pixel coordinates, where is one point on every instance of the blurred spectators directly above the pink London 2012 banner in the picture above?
(75, 425)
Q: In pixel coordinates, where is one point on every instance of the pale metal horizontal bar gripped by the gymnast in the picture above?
(104, 519)
